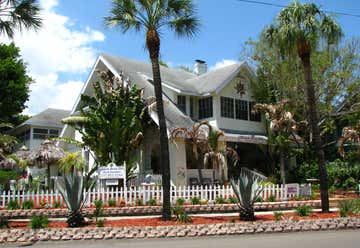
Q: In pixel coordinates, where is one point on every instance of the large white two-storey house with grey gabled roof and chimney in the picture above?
(222, 97)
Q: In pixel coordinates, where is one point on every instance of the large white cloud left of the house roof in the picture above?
(58, 47)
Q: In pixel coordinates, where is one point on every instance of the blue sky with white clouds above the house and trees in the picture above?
(60, 56)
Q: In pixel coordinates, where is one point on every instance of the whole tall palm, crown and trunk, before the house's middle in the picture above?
(151, 16)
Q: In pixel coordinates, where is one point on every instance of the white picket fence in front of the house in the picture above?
(129, 195)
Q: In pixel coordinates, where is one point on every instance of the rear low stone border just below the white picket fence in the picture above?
(155, 210)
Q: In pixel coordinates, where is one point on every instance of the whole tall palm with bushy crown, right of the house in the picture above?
(301, 27)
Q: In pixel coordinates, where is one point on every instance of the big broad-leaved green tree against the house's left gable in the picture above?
(112, 122)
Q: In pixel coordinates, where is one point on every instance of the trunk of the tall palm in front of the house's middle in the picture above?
(153, 45)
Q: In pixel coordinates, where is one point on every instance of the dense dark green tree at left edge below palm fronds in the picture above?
(14, 83)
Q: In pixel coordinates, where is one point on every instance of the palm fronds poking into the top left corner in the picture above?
(19, 14)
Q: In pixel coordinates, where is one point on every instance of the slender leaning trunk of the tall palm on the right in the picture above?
(314, 120)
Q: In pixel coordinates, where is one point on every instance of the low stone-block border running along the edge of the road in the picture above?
(168, 231)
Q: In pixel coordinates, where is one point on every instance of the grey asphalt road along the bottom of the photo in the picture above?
(333, 239)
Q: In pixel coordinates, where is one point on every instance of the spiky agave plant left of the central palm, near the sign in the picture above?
(71, 189)
